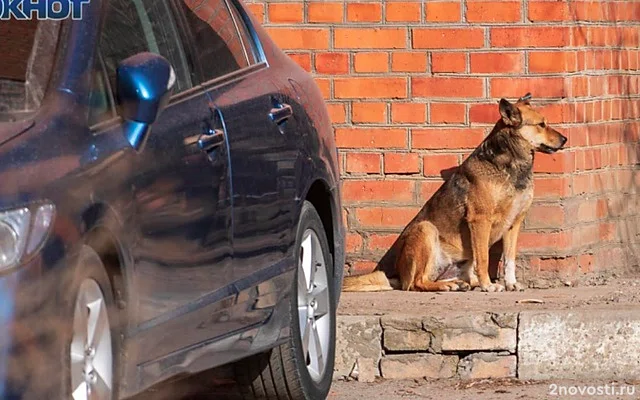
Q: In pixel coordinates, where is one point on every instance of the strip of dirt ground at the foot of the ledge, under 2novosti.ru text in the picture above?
(483, 390)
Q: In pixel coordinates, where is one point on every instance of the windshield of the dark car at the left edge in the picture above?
(27, 51)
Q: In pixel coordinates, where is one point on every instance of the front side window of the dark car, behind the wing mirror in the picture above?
(132, 27)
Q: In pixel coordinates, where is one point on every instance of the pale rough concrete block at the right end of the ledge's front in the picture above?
(587, 344)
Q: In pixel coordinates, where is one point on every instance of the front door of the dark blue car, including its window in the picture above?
(181, 194)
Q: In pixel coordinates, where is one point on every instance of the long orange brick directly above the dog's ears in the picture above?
(516, 87)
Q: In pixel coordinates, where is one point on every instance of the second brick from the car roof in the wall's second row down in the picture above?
(370, 38)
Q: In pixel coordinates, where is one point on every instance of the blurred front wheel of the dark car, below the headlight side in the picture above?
(89, 279)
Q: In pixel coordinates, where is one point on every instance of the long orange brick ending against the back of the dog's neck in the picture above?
(446, 138)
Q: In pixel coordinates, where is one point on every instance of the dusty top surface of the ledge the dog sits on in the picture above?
(596, 292)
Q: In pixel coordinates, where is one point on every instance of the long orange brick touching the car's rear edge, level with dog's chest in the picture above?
(370, 191)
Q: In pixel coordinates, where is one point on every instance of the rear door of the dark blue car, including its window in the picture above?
(242, 88)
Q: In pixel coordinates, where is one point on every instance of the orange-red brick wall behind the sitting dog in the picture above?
(412, 87)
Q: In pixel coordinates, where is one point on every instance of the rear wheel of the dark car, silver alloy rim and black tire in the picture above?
(301, 368)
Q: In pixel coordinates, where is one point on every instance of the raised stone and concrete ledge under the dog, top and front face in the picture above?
(584, 332)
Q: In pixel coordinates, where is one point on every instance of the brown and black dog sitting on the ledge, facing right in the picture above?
(446, 246)
